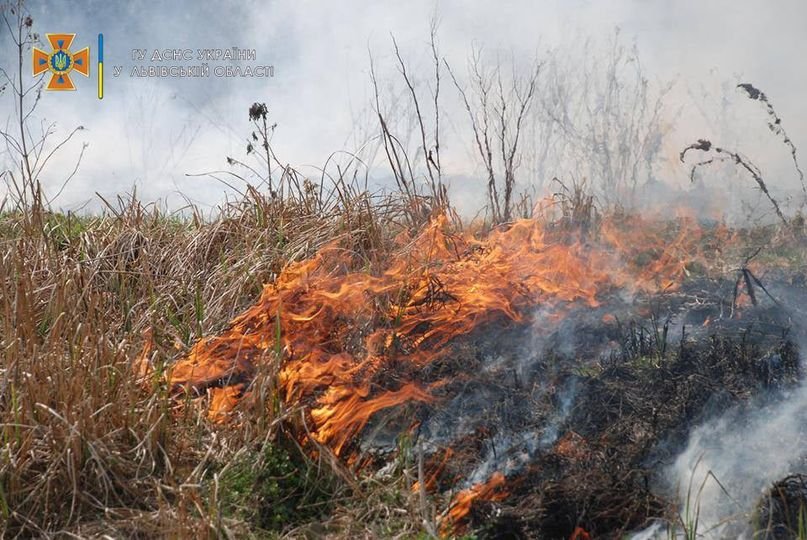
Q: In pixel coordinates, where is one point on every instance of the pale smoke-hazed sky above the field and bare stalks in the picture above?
(159, 134)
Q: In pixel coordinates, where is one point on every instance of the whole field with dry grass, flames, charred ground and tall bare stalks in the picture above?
(317, 357)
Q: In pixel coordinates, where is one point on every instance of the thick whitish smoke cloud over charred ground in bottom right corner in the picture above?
(731, 461)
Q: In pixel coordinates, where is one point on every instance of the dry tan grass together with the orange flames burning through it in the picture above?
(357, 316)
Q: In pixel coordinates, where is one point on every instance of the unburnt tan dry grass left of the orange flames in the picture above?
(89, 448)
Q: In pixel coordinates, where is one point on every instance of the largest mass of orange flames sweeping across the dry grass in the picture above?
(354, 339)
